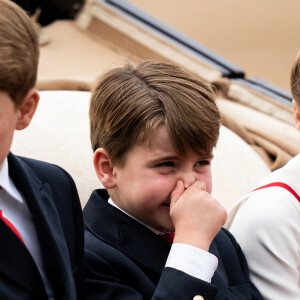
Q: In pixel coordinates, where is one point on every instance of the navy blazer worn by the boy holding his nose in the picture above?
(125, 260)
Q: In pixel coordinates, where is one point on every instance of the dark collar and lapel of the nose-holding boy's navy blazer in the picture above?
(117, 229)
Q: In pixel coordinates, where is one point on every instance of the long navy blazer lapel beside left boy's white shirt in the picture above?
(48, 226)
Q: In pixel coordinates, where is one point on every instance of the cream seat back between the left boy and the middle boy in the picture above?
(59, 134)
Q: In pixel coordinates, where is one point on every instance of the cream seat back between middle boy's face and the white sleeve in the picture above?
(236, 168)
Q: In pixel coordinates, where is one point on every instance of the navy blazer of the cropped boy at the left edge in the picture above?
(53, 201)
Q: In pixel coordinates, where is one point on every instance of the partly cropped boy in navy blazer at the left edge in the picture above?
(41, 226)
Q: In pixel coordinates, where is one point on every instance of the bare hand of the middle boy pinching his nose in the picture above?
(196, 216)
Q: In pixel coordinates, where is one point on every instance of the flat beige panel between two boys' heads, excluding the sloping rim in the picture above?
(72, 56)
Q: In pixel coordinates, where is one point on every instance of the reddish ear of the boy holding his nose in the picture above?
(104, 168)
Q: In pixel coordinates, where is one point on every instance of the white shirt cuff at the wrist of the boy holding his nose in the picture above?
(193, 261)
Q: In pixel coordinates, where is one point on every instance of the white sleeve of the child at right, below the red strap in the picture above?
(267, 227)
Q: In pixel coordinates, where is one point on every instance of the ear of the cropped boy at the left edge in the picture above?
(27, 109)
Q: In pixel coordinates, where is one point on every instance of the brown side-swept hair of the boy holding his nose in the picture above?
(129, 103)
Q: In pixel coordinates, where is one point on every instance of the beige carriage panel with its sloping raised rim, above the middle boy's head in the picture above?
(79, 51)
